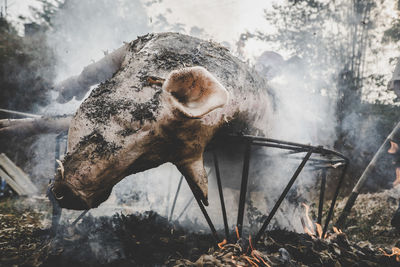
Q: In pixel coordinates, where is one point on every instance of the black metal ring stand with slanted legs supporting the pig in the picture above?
(332, 159)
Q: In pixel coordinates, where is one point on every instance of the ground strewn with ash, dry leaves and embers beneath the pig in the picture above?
(149, 239)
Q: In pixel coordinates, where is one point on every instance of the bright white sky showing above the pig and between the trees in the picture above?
(222, 21)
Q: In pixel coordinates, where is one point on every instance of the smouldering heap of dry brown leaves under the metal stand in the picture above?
(284, 248)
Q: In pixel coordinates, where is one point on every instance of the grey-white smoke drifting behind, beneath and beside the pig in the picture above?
(85, 30)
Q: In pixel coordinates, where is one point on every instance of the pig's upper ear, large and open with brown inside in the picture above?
(195, 91)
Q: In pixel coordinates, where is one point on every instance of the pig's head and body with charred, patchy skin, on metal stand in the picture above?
(166, 102)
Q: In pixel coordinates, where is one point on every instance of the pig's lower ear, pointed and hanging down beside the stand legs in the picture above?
(196, 177)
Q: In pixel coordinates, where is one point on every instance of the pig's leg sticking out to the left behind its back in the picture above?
(92, 74)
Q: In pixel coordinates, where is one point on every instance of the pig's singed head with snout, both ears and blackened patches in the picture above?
(127, 126)
